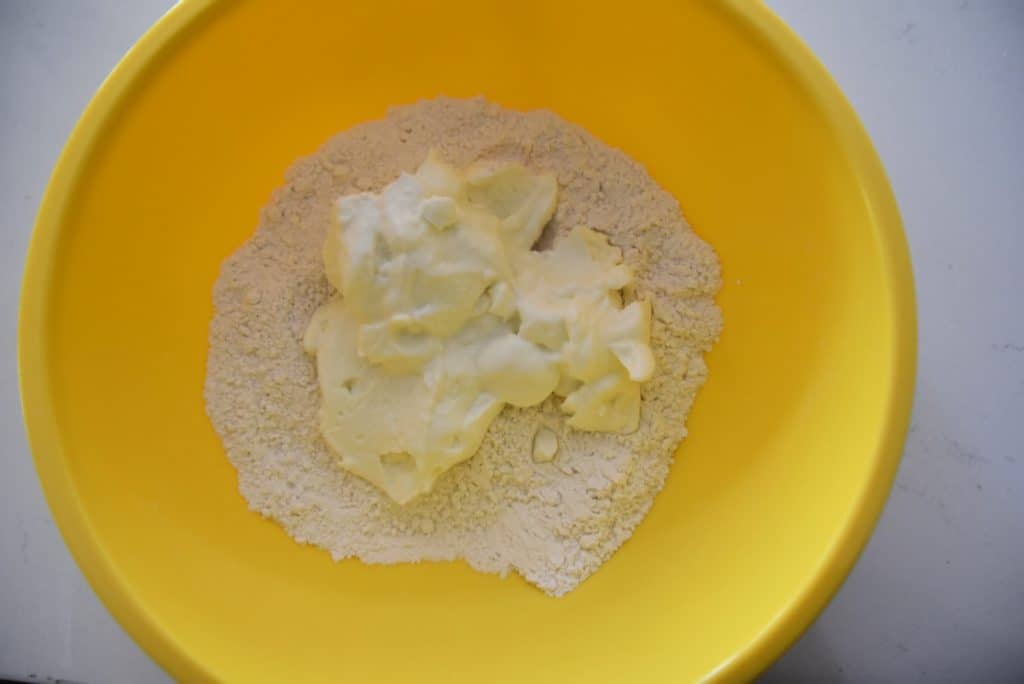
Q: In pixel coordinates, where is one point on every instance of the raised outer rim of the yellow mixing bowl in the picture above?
(117, 592)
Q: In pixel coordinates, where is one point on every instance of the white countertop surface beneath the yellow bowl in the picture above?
(938, 596)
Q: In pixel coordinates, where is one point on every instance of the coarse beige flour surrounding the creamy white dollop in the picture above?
(552, 523)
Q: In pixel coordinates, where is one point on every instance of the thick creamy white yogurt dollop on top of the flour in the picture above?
(445, 315)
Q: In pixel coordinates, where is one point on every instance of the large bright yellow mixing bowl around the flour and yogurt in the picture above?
(793, 445)
